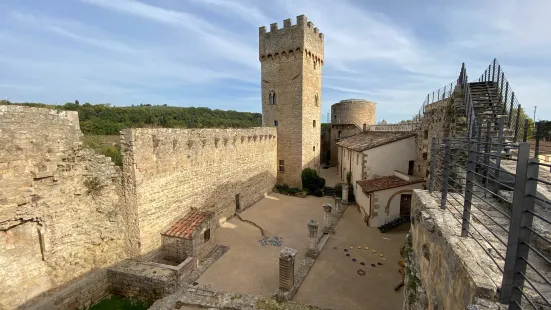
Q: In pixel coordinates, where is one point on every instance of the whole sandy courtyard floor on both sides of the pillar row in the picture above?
(333, 282)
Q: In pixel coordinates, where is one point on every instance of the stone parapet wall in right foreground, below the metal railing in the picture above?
(443, 269)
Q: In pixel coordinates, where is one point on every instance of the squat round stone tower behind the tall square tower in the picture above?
(349, 117)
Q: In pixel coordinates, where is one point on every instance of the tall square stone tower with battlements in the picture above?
(291, 60)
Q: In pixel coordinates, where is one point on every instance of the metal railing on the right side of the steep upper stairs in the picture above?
(516, 116)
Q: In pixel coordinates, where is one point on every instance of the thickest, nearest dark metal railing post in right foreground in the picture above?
(519, 230)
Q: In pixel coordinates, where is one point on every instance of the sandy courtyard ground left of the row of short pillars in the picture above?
(249, 267)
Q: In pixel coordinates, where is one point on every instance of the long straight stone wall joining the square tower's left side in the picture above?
(176, 169)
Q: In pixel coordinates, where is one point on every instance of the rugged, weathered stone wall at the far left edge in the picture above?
(60, 206)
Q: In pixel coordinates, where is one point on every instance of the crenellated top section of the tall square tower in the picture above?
(280, 43)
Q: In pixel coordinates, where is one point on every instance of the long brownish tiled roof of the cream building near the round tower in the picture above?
(372, 139)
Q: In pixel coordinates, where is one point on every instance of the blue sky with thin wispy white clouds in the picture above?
(205, 52)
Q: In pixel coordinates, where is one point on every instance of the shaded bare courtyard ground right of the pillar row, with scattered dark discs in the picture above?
(334, 282)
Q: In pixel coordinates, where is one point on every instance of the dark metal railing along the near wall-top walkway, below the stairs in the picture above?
(474, 178)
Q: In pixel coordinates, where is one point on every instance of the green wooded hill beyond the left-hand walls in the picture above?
(103, 119)
